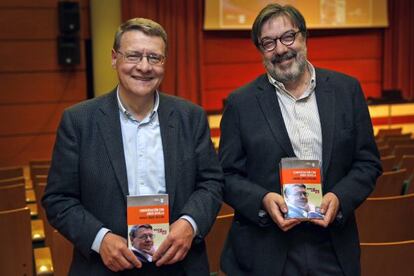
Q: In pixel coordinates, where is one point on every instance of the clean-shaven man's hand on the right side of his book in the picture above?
(175, 247)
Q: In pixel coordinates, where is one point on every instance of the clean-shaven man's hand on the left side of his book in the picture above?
(116, 255)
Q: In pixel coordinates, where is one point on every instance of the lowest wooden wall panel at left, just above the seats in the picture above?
(18, 150)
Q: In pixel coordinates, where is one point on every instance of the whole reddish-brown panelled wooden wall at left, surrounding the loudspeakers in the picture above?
(35, 88)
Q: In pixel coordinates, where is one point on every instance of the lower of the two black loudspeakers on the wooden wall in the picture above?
(68, 50)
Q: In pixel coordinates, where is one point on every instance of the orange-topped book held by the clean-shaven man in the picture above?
(148, 224)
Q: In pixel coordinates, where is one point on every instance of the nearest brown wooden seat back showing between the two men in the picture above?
(215, 240)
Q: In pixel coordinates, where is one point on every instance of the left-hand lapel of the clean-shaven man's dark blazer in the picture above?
(110, 128)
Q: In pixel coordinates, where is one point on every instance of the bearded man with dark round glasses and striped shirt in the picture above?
(294, 110)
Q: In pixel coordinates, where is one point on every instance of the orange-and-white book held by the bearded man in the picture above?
(301, 188)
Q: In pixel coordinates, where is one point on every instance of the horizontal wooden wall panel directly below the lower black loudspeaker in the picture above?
(42, 87)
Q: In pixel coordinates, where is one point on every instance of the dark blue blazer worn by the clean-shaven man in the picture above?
(87, 184)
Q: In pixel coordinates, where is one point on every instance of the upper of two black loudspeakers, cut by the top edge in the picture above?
(69, 19)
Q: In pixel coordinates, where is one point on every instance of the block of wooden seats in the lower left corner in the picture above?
(21, 189)
